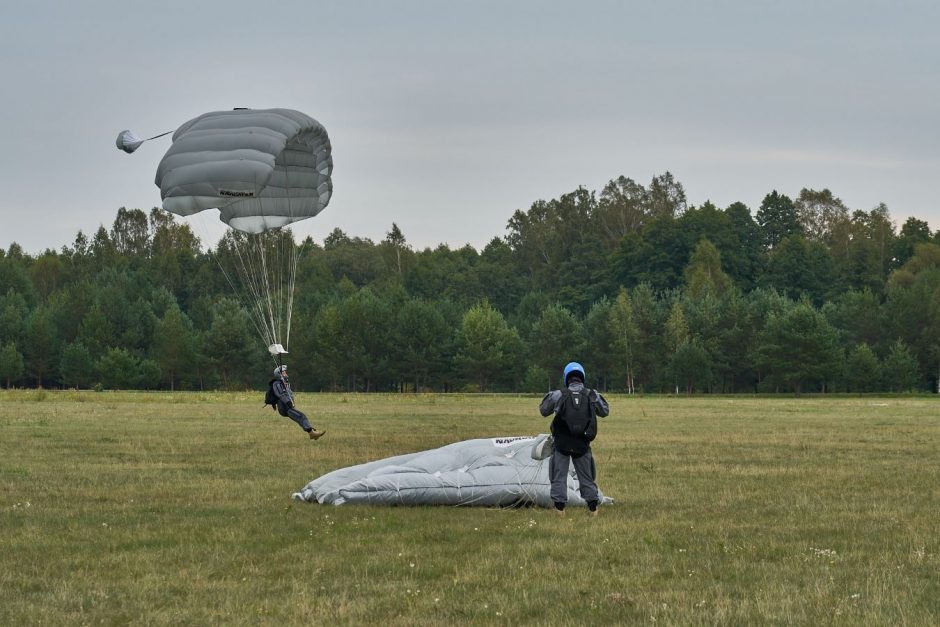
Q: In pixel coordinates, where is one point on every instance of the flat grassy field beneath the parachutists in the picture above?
(175, 508)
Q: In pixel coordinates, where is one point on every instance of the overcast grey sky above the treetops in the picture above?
(447, 116)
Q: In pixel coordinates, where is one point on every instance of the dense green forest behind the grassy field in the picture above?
(649, 293)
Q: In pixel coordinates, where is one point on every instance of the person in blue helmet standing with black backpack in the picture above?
(574, 427)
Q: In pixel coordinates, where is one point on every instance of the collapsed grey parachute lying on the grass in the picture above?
(493, 472)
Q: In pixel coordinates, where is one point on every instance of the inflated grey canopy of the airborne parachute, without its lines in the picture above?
(262, 168)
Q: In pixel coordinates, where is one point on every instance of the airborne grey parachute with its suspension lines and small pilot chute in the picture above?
(263, 169)
